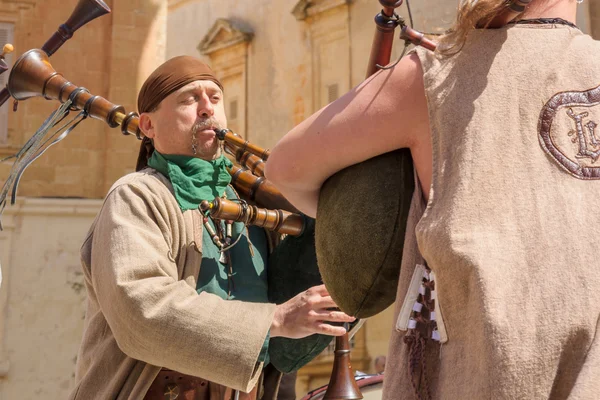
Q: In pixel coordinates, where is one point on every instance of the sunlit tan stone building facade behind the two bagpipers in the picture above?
(279, 61)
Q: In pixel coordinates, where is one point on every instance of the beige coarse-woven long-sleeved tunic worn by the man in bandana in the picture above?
(140, 260)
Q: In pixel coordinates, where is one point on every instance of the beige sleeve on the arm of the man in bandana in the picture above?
(157, 318)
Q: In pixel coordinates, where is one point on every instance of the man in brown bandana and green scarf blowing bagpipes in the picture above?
(177, 302)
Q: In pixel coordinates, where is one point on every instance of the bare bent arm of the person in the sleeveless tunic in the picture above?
(382, 114)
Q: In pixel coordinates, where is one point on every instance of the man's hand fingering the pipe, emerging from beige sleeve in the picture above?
(306, 314)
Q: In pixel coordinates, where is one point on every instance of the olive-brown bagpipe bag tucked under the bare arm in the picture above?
(360, 229)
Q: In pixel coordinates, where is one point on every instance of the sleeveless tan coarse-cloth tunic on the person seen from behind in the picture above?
(512, 228)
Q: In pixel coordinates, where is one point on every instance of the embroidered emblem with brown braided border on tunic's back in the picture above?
(567, 132)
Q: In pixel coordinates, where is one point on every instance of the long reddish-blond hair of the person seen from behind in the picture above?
(471, 14)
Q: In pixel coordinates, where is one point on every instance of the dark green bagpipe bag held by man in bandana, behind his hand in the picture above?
(291, 269)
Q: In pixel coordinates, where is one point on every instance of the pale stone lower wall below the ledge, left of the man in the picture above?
(42, 296)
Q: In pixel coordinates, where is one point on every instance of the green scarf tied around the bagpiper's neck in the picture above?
(193, 179)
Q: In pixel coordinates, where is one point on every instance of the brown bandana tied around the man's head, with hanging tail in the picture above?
(169, 77)
